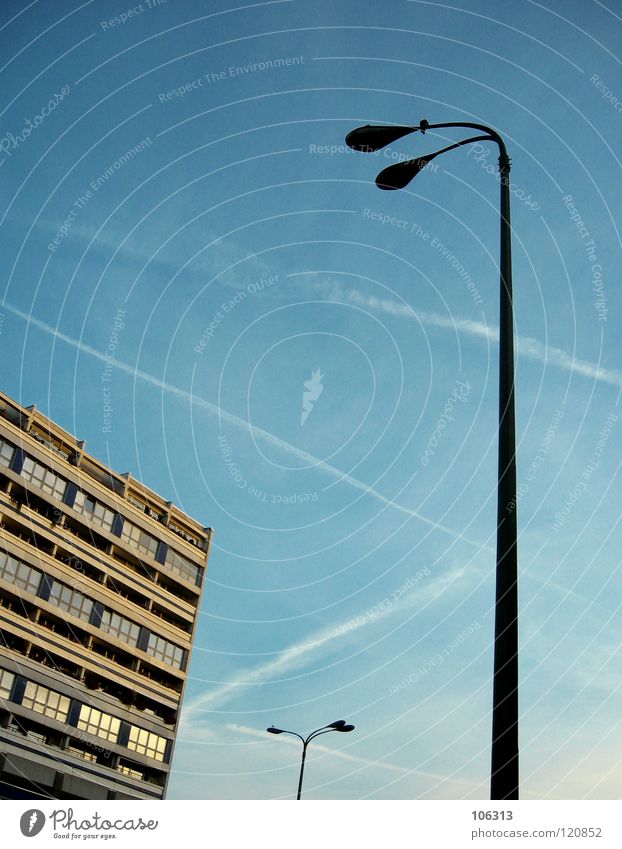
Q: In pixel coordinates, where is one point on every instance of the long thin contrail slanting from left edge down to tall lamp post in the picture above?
(241, 424)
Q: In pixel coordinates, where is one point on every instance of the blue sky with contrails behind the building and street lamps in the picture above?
(181, 171)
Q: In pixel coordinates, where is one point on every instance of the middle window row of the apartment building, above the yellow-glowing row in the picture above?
(77, 604)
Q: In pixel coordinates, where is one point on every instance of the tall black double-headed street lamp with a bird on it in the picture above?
(504, 765)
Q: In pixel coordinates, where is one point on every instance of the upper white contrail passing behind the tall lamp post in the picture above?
(526, 346)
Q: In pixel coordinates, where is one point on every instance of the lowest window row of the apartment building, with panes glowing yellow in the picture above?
(54, 705)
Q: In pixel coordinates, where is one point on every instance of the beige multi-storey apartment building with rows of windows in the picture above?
(100, 587)
